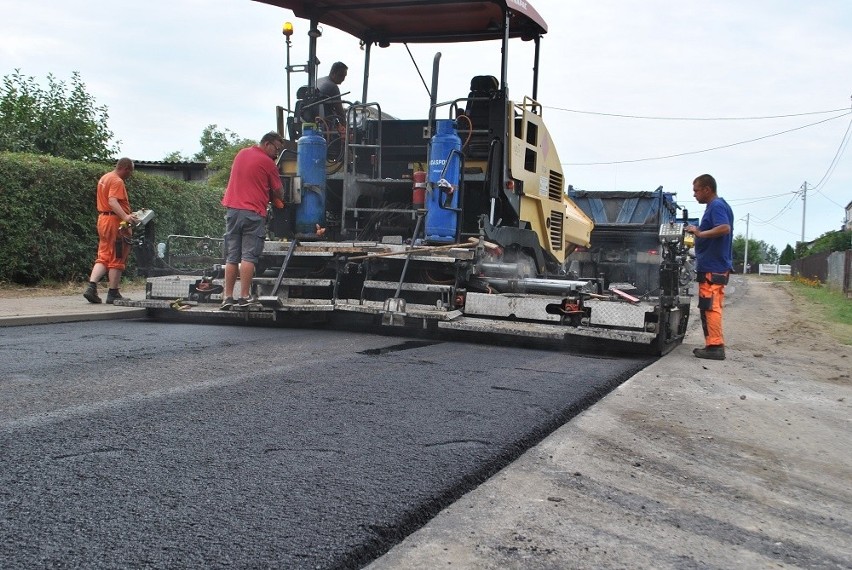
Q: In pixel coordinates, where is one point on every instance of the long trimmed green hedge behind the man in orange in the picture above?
(48, 217)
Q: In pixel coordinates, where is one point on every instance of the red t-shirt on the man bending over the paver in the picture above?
(253, 175)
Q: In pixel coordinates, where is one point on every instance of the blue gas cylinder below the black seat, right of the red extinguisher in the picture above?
(444, 163)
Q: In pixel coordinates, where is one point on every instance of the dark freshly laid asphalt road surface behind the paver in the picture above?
(143, 444)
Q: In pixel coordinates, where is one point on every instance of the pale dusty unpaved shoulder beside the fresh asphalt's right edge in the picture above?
(690, 464)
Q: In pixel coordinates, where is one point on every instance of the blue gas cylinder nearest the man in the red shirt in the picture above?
(310, 166)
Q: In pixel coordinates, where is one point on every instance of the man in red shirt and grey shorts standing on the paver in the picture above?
(254, 179)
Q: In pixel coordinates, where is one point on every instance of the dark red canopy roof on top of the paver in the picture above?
(420, 21)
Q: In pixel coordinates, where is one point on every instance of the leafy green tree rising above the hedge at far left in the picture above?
(60, 121)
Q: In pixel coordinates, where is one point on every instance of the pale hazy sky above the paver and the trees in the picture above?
(166, 70)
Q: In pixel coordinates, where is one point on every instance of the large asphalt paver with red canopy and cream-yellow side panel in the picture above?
(454, 224)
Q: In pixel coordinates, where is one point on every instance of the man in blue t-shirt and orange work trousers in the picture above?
(714, 262)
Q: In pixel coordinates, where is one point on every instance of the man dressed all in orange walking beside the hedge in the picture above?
(114, 222)
